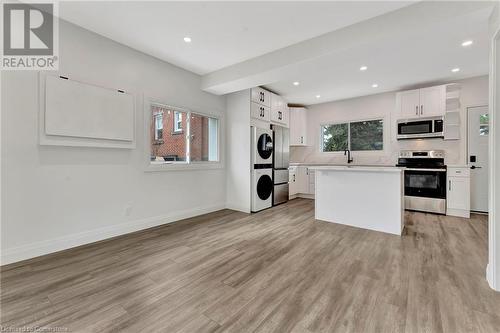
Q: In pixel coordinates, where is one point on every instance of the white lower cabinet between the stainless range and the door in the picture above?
(458, 192)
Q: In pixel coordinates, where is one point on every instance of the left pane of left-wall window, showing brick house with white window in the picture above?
(167, 144)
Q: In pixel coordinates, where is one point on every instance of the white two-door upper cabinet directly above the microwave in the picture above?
(425, 102)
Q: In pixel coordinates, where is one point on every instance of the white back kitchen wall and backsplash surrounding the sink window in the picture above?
(474, 92)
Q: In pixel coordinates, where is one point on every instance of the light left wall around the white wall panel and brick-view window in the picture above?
(57, 197)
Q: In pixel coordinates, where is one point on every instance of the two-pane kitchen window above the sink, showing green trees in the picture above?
(356, 136)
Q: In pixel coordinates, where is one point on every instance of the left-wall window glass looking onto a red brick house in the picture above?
(181, 136)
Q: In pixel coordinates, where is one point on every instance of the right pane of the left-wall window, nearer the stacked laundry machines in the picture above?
(204, 138)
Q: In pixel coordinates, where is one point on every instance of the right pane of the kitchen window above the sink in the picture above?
(367, 135)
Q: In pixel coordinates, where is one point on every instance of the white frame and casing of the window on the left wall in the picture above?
(152, 166)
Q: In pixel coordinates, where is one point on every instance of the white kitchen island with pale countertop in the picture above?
(368, 197)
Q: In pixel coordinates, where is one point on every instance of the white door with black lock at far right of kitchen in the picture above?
(478, 136)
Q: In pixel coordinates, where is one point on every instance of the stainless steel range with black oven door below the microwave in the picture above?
(425, 180)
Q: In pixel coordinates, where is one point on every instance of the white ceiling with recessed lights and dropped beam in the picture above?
(237, 45)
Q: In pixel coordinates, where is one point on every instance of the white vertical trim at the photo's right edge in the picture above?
(491, 270)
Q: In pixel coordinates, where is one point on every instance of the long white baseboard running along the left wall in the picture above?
(66, 242)
